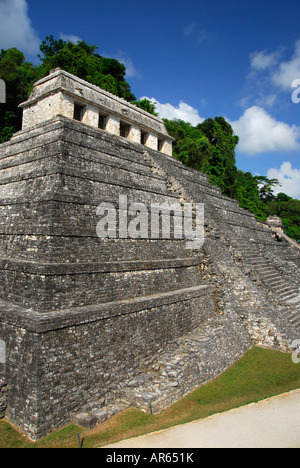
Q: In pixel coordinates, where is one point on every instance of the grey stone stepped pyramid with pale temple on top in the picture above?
(91, 324)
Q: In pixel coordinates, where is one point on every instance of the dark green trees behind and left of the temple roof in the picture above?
(79, 59)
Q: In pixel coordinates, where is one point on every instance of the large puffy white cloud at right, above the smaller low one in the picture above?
(259, 132)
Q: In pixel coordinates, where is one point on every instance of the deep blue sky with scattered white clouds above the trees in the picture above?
(196, 59)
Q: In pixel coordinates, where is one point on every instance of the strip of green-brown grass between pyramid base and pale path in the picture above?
(259, 374)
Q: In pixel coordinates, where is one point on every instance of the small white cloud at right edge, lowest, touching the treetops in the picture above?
(289, 179)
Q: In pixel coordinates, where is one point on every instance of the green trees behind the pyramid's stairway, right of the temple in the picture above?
(210, 147)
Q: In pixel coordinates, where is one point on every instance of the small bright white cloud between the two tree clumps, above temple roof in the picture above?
(183, 112)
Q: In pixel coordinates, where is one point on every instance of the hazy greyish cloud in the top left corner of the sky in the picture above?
(15, 27)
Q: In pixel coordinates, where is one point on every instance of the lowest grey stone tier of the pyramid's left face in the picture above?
(58, 364)
